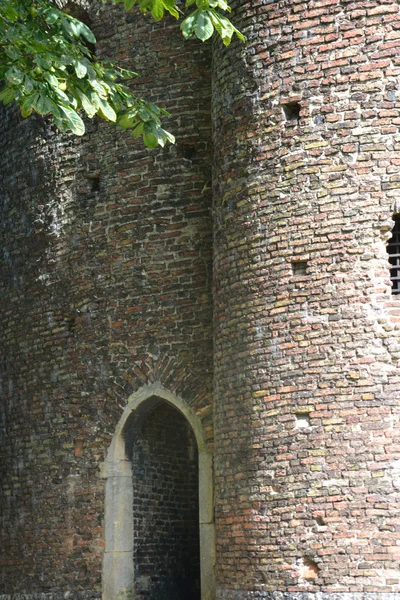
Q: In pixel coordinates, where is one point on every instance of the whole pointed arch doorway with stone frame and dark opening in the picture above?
(159, 528)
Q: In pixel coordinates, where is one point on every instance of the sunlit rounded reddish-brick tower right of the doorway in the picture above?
(307, 374)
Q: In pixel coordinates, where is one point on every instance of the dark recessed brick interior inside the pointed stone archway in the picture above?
(166, 507)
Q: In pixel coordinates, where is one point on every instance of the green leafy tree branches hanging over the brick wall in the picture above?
(47, 65)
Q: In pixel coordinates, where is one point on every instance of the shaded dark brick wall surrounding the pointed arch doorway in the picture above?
(105, 286)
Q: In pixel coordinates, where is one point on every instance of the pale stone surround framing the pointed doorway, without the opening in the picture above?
(118, 562)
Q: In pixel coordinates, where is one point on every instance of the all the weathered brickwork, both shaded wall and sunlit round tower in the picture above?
(105, 284)
